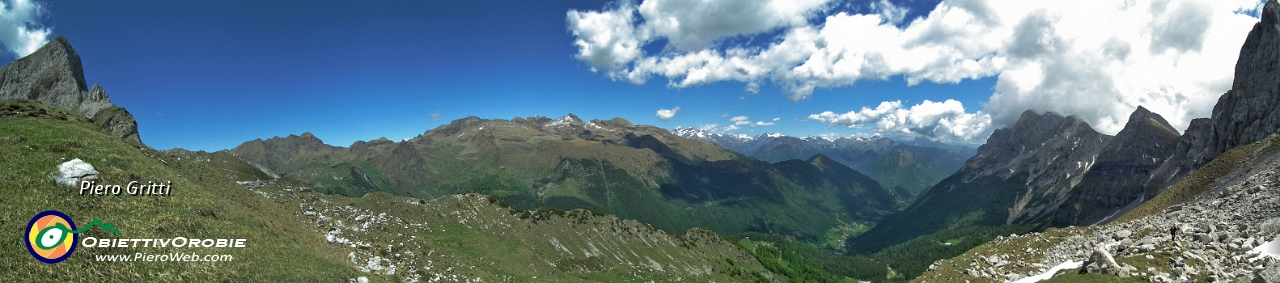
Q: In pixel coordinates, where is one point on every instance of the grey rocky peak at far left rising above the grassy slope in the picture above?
(54, 76)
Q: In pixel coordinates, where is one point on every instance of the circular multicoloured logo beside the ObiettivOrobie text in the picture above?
(51, 239)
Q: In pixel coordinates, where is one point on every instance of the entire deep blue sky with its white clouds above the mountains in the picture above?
(209, 76)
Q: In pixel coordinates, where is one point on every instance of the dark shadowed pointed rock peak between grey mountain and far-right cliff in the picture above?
(1124, 167)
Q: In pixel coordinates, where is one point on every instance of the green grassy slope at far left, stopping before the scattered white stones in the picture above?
(200, 207)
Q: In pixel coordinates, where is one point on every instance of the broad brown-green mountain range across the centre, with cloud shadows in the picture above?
(633, 171)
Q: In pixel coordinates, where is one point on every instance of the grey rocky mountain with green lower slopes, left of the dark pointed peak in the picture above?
(1023, 175)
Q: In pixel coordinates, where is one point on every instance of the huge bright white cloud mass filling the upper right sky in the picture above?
(1094, 60)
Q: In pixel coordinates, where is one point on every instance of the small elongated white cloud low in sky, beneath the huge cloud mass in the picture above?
(945, 122)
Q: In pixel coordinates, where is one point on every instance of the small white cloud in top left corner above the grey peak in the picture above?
(20, 28)
